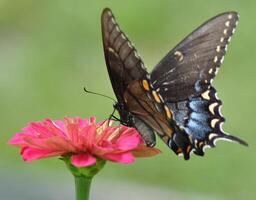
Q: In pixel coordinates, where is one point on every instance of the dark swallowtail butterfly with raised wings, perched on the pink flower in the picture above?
(176, 100)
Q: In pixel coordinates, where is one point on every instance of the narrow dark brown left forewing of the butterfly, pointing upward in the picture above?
(123, 63)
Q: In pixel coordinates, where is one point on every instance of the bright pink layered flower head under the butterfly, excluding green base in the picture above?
(85, 140)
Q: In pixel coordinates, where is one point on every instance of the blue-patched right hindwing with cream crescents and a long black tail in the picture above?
(201, 119)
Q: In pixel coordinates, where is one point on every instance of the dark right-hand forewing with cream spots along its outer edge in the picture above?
(189, 68)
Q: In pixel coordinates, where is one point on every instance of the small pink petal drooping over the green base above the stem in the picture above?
(83, 160)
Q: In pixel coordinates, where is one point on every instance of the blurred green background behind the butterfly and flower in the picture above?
(50, 49)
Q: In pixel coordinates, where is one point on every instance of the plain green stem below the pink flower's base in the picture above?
(82, 187)
